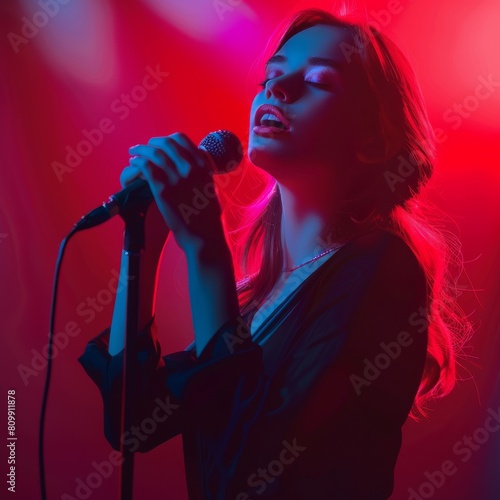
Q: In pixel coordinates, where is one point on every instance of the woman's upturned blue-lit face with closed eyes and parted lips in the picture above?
(302, 118)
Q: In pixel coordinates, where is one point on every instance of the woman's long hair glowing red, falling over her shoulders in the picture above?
(393, 198)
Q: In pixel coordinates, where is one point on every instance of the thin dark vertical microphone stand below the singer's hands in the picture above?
(133, 247)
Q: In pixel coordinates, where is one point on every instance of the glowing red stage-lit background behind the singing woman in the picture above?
(67, 76)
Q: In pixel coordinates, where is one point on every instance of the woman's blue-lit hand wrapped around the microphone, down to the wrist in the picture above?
(178, 174)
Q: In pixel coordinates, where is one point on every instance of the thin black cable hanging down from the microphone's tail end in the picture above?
(41, 466)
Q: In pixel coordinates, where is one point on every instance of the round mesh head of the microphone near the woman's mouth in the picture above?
(224, 148)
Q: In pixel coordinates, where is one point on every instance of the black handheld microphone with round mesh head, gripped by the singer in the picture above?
(224, 151)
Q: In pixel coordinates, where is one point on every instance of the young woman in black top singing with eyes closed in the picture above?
(300, 378)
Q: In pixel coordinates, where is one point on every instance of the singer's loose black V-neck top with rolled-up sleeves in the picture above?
(316, 411)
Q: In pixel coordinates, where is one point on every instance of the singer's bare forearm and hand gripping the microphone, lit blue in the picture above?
(178, 174)
